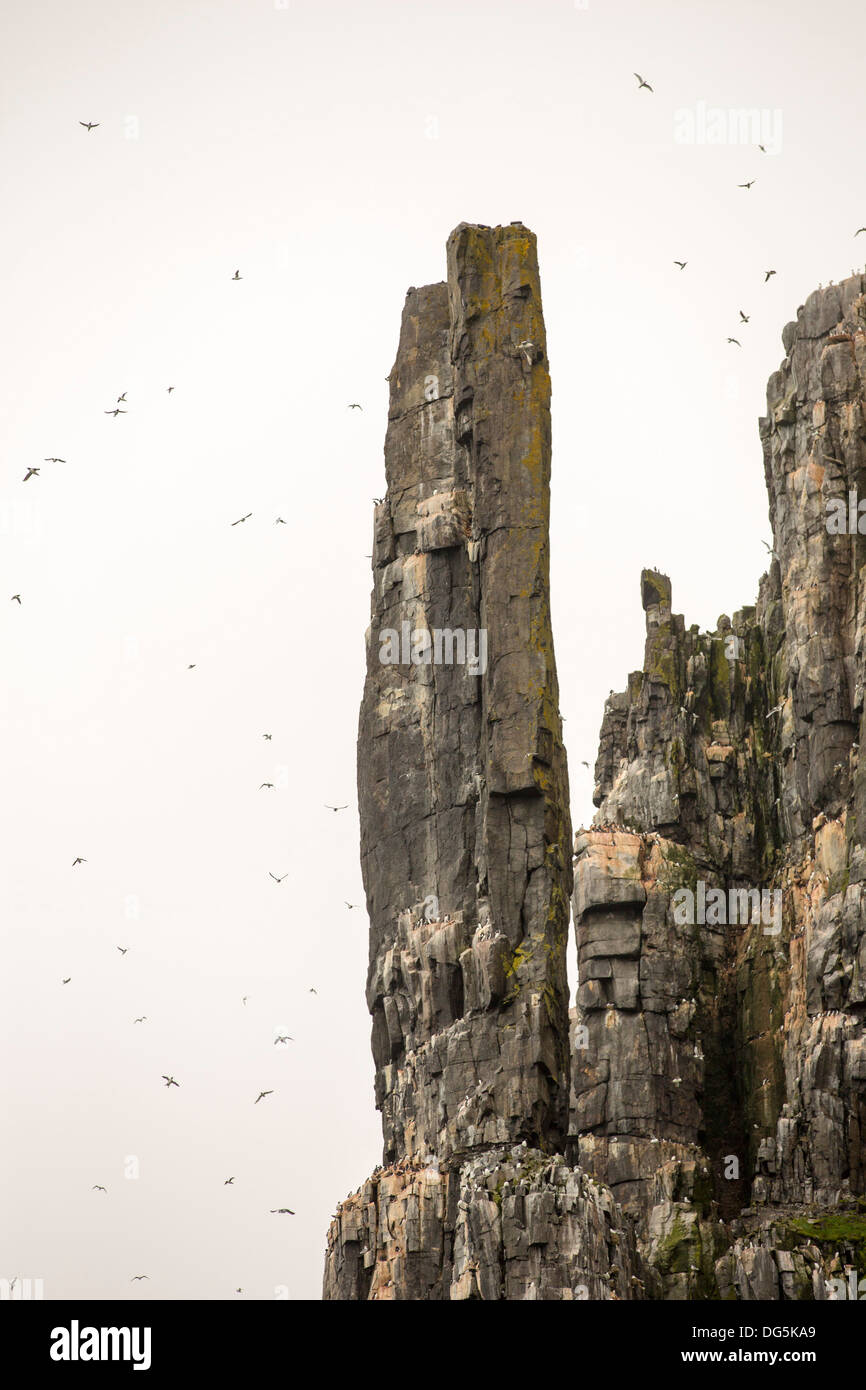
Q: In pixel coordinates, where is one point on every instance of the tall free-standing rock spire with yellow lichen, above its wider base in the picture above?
(462, 772)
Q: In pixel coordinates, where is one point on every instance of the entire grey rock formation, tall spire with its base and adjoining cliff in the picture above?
(696, 1128)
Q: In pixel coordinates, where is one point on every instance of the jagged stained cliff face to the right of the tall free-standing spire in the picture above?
(721, 1089)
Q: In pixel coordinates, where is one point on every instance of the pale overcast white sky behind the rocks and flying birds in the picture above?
(326, 151)
